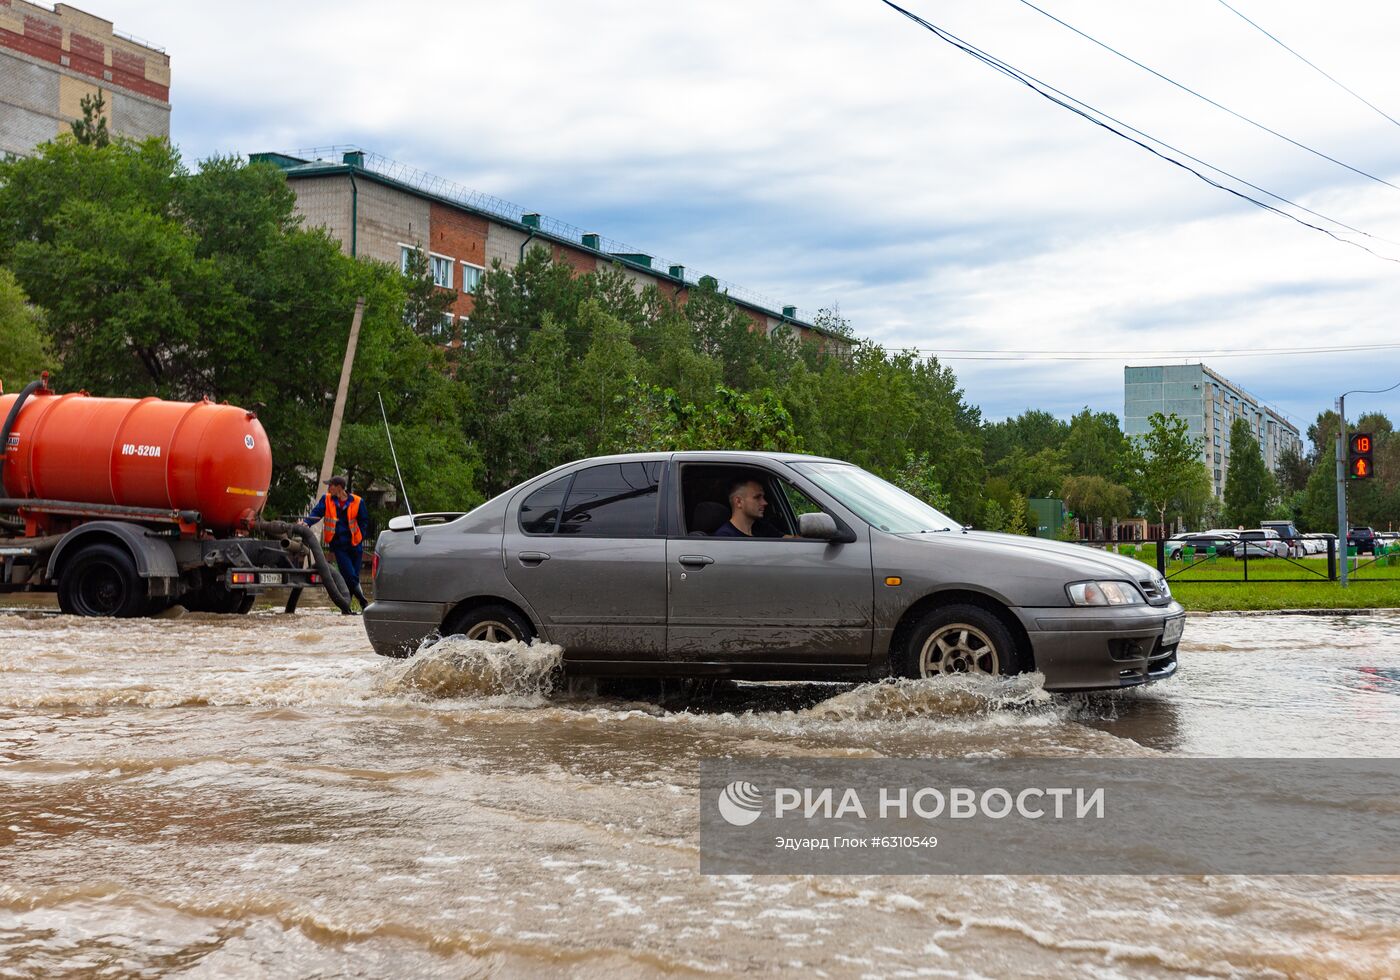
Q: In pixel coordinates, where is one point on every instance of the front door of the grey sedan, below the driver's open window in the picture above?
(771, 600)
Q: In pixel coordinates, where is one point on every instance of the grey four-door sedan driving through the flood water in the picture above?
(615, 559)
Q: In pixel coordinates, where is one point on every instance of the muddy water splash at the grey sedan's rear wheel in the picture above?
(454, 668)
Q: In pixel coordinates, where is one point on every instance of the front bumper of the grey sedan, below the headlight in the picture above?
(1102, 647)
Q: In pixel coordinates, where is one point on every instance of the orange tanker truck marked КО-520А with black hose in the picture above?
(127, 506)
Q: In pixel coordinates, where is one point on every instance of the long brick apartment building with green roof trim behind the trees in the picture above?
(383, 211)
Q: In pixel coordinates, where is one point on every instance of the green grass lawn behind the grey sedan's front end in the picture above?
(1217, 586)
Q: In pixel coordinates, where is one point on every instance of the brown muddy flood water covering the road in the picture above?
(264, 796)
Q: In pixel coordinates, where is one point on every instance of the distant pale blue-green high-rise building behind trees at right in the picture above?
(1209, 404)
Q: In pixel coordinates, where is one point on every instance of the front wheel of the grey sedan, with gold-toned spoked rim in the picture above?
(958, 639)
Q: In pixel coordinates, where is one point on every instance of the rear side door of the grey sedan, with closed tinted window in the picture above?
(587, 554)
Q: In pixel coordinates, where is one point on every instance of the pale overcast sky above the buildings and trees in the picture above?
(831, 153)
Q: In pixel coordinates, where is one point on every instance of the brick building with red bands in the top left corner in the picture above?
(50, 59)
